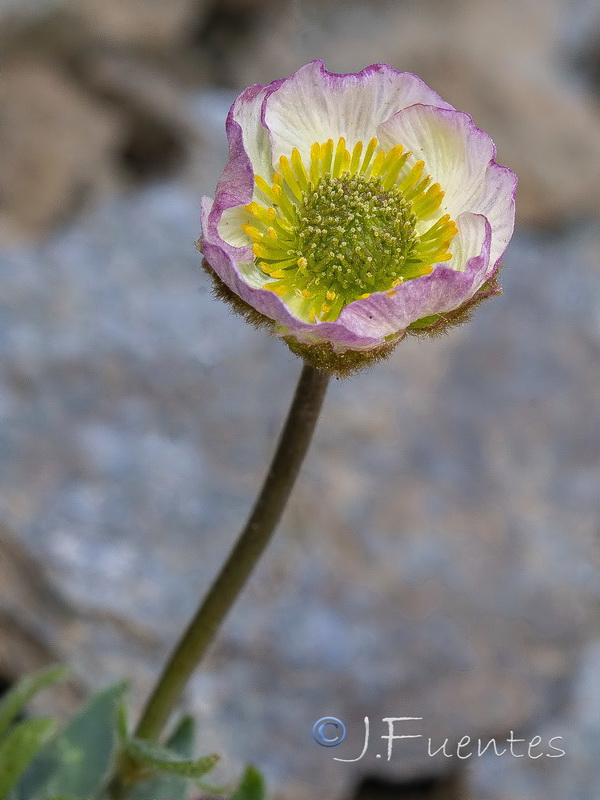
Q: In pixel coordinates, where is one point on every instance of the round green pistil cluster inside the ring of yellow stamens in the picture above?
(353, 237)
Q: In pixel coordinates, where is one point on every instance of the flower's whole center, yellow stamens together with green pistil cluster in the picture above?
(345, 227)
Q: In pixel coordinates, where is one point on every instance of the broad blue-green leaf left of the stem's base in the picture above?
(76, 763)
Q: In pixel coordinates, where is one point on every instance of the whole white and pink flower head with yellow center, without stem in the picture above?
(354, 209)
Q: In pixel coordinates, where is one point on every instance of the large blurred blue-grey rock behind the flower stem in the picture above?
(438, 559)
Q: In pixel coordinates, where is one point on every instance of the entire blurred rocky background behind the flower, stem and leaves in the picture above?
(440, 557)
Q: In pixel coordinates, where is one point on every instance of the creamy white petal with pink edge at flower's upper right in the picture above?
(460, 157)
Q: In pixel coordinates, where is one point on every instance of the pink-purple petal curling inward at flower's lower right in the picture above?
(445, 289)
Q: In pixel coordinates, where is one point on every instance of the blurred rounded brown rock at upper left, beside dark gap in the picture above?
(56, 147)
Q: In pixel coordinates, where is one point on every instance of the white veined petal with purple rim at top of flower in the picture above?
(314, 105)
